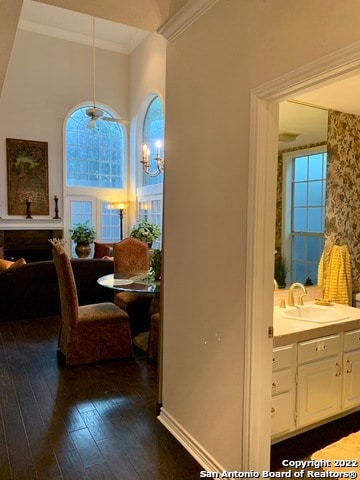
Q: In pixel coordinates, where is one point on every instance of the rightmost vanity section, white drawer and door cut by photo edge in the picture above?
(351, 369)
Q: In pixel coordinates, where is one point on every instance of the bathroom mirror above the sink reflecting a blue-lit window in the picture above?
(303, 131)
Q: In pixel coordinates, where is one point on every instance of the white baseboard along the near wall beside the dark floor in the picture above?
(189, 443)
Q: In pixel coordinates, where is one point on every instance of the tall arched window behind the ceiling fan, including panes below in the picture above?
(95, 166)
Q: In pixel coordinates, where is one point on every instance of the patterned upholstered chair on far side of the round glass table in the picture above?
(133, 256)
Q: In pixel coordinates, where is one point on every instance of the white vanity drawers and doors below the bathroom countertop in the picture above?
(314, 381)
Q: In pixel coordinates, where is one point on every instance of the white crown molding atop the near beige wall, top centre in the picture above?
(185, 17)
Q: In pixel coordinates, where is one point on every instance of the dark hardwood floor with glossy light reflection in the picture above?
(88, 422)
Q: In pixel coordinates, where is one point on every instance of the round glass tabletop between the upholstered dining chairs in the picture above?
(141, 283)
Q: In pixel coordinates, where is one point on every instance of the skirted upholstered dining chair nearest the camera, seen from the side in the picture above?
(89, 333)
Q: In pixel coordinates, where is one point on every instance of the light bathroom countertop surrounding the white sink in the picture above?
(287, 331)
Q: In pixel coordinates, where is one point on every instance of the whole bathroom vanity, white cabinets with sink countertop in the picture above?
(316, 368)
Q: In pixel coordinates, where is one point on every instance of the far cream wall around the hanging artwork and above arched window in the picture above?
(45, 79)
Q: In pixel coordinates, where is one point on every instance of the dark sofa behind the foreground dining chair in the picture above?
(31, 290)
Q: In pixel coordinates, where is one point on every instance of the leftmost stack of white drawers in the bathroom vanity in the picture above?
(283, 390)
